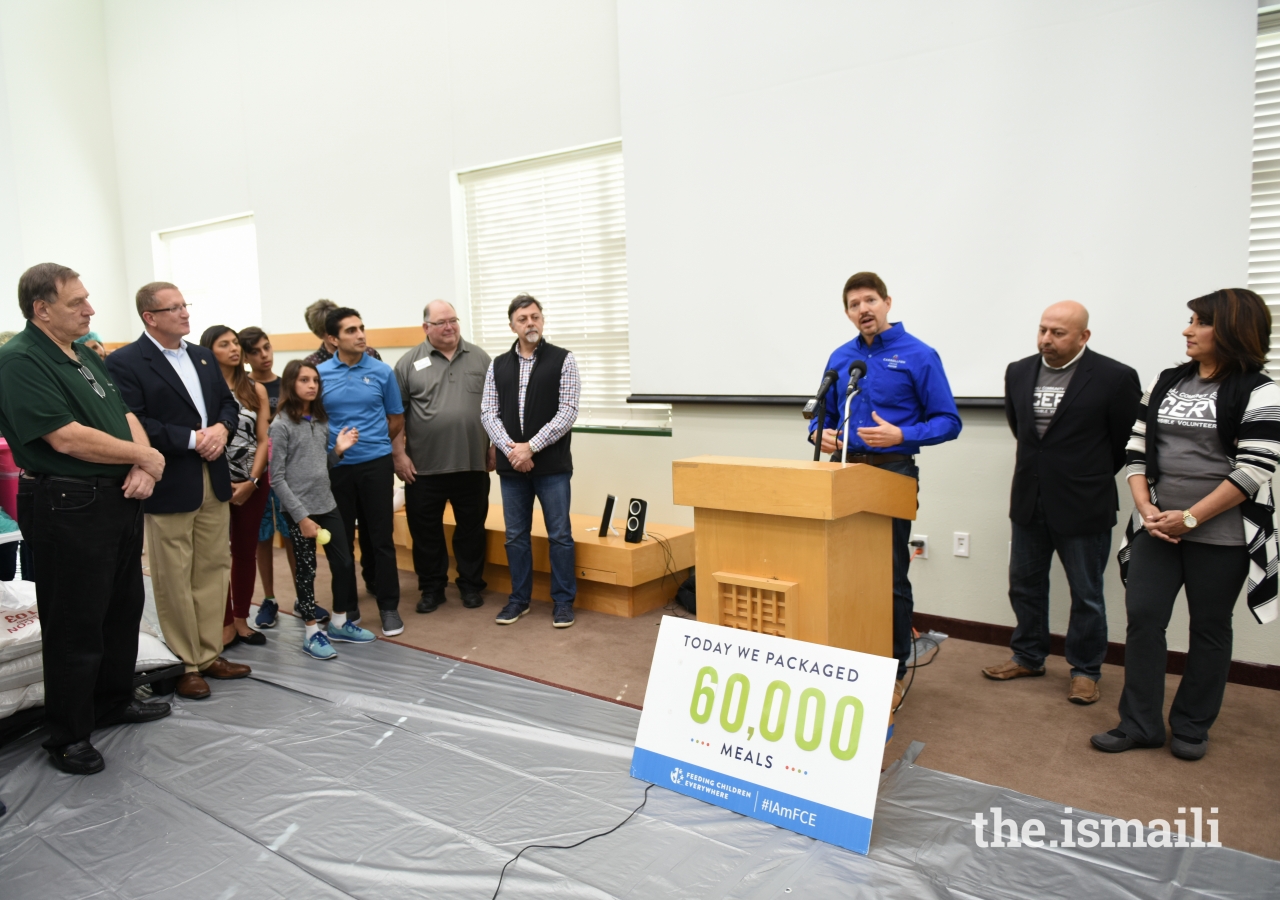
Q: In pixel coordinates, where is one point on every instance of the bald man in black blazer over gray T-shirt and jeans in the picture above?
(1072, 412)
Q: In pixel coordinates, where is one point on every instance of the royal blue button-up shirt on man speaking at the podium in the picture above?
(904, 383)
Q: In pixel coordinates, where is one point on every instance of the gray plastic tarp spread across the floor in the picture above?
(391, 773)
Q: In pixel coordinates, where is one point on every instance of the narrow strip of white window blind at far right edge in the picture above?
(1265, 211)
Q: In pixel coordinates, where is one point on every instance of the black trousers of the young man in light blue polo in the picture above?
(365, 491)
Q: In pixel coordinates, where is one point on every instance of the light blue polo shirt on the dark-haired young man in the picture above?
(360, 396)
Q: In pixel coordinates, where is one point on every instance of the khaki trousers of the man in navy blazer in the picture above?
(191, 565)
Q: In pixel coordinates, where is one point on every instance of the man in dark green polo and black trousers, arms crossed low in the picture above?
(88, 467)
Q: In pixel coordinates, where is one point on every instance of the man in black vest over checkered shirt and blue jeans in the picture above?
(529, 408)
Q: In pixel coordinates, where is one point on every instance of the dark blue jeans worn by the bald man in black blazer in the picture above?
(1085, 558)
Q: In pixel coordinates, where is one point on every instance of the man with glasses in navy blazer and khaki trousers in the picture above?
(179, 394)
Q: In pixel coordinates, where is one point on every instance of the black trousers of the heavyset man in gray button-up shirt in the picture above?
(424, 506)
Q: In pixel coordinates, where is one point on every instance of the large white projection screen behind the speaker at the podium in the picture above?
(986, 158)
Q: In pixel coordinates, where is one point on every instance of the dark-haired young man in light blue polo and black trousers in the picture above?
(362, 392)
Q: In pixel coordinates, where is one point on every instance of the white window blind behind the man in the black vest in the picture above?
(555, 227)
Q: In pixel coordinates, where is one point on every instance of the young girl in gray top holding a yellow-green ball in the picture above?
(300, 476)
